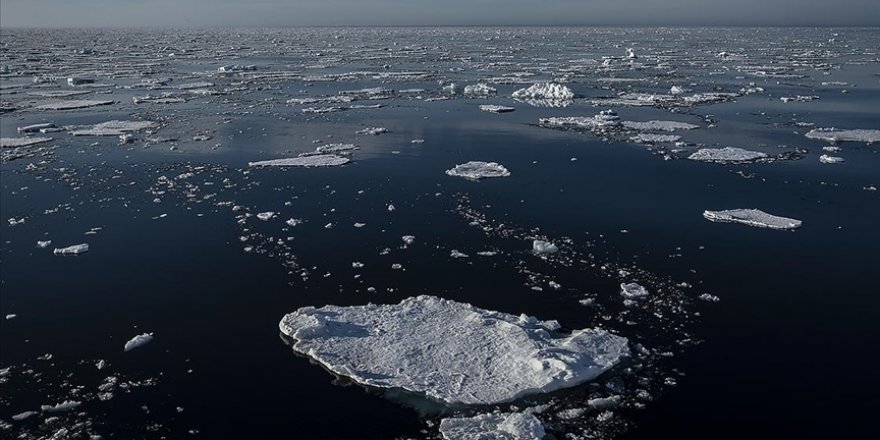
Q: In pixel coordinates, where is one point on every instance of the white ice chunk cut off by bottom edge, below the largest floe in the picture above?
(494, 426)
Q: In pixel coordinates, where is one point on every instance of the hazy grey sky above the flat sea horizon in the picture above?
(116, 13)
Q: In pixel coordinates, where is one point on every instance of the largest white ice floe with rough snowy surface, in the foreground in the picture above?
(449, 351)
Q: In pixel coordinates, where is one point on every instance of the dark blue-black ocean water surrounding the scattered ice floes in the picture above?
(788, 351)
